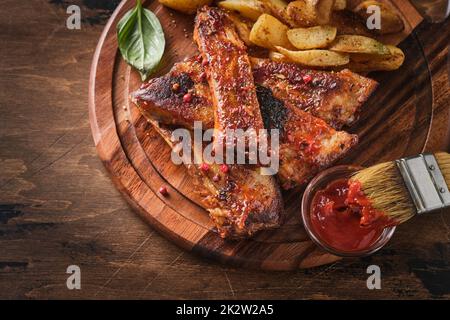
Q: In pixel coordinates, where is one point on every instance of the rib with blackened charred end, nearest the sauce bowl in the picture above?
(307, 144)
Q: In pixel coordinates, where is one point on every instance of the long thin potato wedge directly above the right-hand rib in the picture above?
(316, 58)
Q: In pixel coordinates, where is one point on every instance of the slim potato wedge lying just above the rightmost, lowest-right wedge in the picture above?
(358, 44)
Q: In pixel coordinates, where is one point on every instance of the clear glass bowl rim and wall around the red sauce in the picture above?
(320, 182)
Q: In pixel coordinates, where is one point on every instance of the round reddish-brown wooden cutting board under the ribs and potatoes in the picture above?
(399, 120)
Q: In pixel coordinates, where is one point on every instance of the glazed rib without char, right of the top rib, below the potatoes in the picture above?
(335, 97)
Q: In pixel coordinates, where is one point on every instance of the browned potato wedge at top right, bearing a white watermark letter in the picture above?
(390, 21)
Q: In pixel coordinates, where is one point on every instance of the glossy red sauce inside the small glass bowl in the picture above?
(342, 216)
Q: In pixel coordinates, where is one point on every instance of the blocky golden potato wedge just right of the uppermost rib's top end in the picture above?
(269, 32)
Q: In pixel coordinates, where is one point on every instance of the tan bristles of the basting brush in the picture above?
(384, 186)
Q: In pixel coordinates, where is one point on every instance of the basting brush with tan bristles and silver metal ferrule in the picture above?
(407, 187)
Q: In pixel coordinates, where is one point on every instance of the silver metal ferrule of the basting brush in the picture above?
(425, 182)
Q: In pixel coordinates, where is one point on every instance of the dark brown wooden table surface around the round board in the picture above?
(58, 206)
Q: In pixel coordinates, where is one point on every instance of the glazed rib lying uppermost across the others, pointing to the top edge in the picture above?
(228, 72)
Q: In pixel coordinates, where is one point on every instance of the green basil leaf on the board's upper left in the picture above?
(141, 39)
